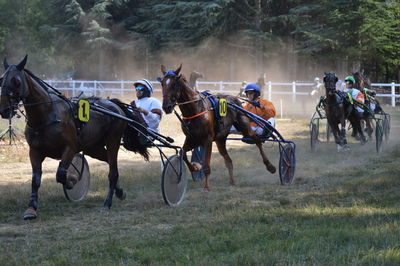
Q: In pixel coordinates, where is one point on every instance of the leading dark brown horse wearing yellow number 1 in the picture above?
(53, 131)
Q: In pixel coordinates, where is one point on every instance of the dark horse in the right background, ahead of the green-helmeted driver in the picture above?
(337, 110)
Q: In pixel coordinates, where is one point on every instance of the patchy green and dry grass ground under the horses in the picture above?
(343, 209)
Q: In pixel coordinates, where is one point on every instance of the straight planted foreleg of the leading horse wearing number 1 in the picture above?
(36, 162)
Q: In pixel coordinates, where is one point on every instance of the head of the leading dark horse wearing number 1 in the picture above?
(13, 88)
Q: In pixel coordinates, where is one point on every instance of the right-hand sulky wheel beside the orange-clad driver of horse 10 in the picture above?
(287, 164)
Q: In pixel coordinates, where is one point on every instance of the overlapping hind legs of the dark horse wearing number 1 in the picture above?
(112, 155)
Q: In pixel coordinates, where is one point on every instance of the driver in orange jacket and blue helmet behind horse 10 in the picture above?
(258, 106)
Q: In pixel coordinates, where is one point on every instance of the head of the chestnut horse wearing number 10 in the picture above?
(170, 88)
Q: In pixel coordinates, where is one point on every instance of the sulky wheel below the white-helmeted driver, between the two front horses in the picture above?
(174, 181)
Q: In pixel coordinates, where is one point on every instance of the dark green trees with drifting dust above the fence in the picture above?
(113, 39)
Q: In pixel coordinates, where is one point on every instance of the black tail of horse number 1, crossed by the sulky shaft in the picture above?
(133, 140)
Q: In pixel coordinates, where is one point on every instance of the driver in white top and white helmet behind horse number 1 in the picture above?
(149, 107)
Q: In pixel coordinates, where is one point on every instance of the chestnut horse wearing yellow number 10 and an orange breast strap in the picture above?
(202, 125)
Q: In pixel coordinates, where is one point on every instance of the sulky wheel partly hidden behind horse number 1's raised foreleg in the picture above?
(79, 169)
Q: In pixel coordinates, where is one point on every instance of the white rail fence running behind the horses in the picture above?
(272, 90)
